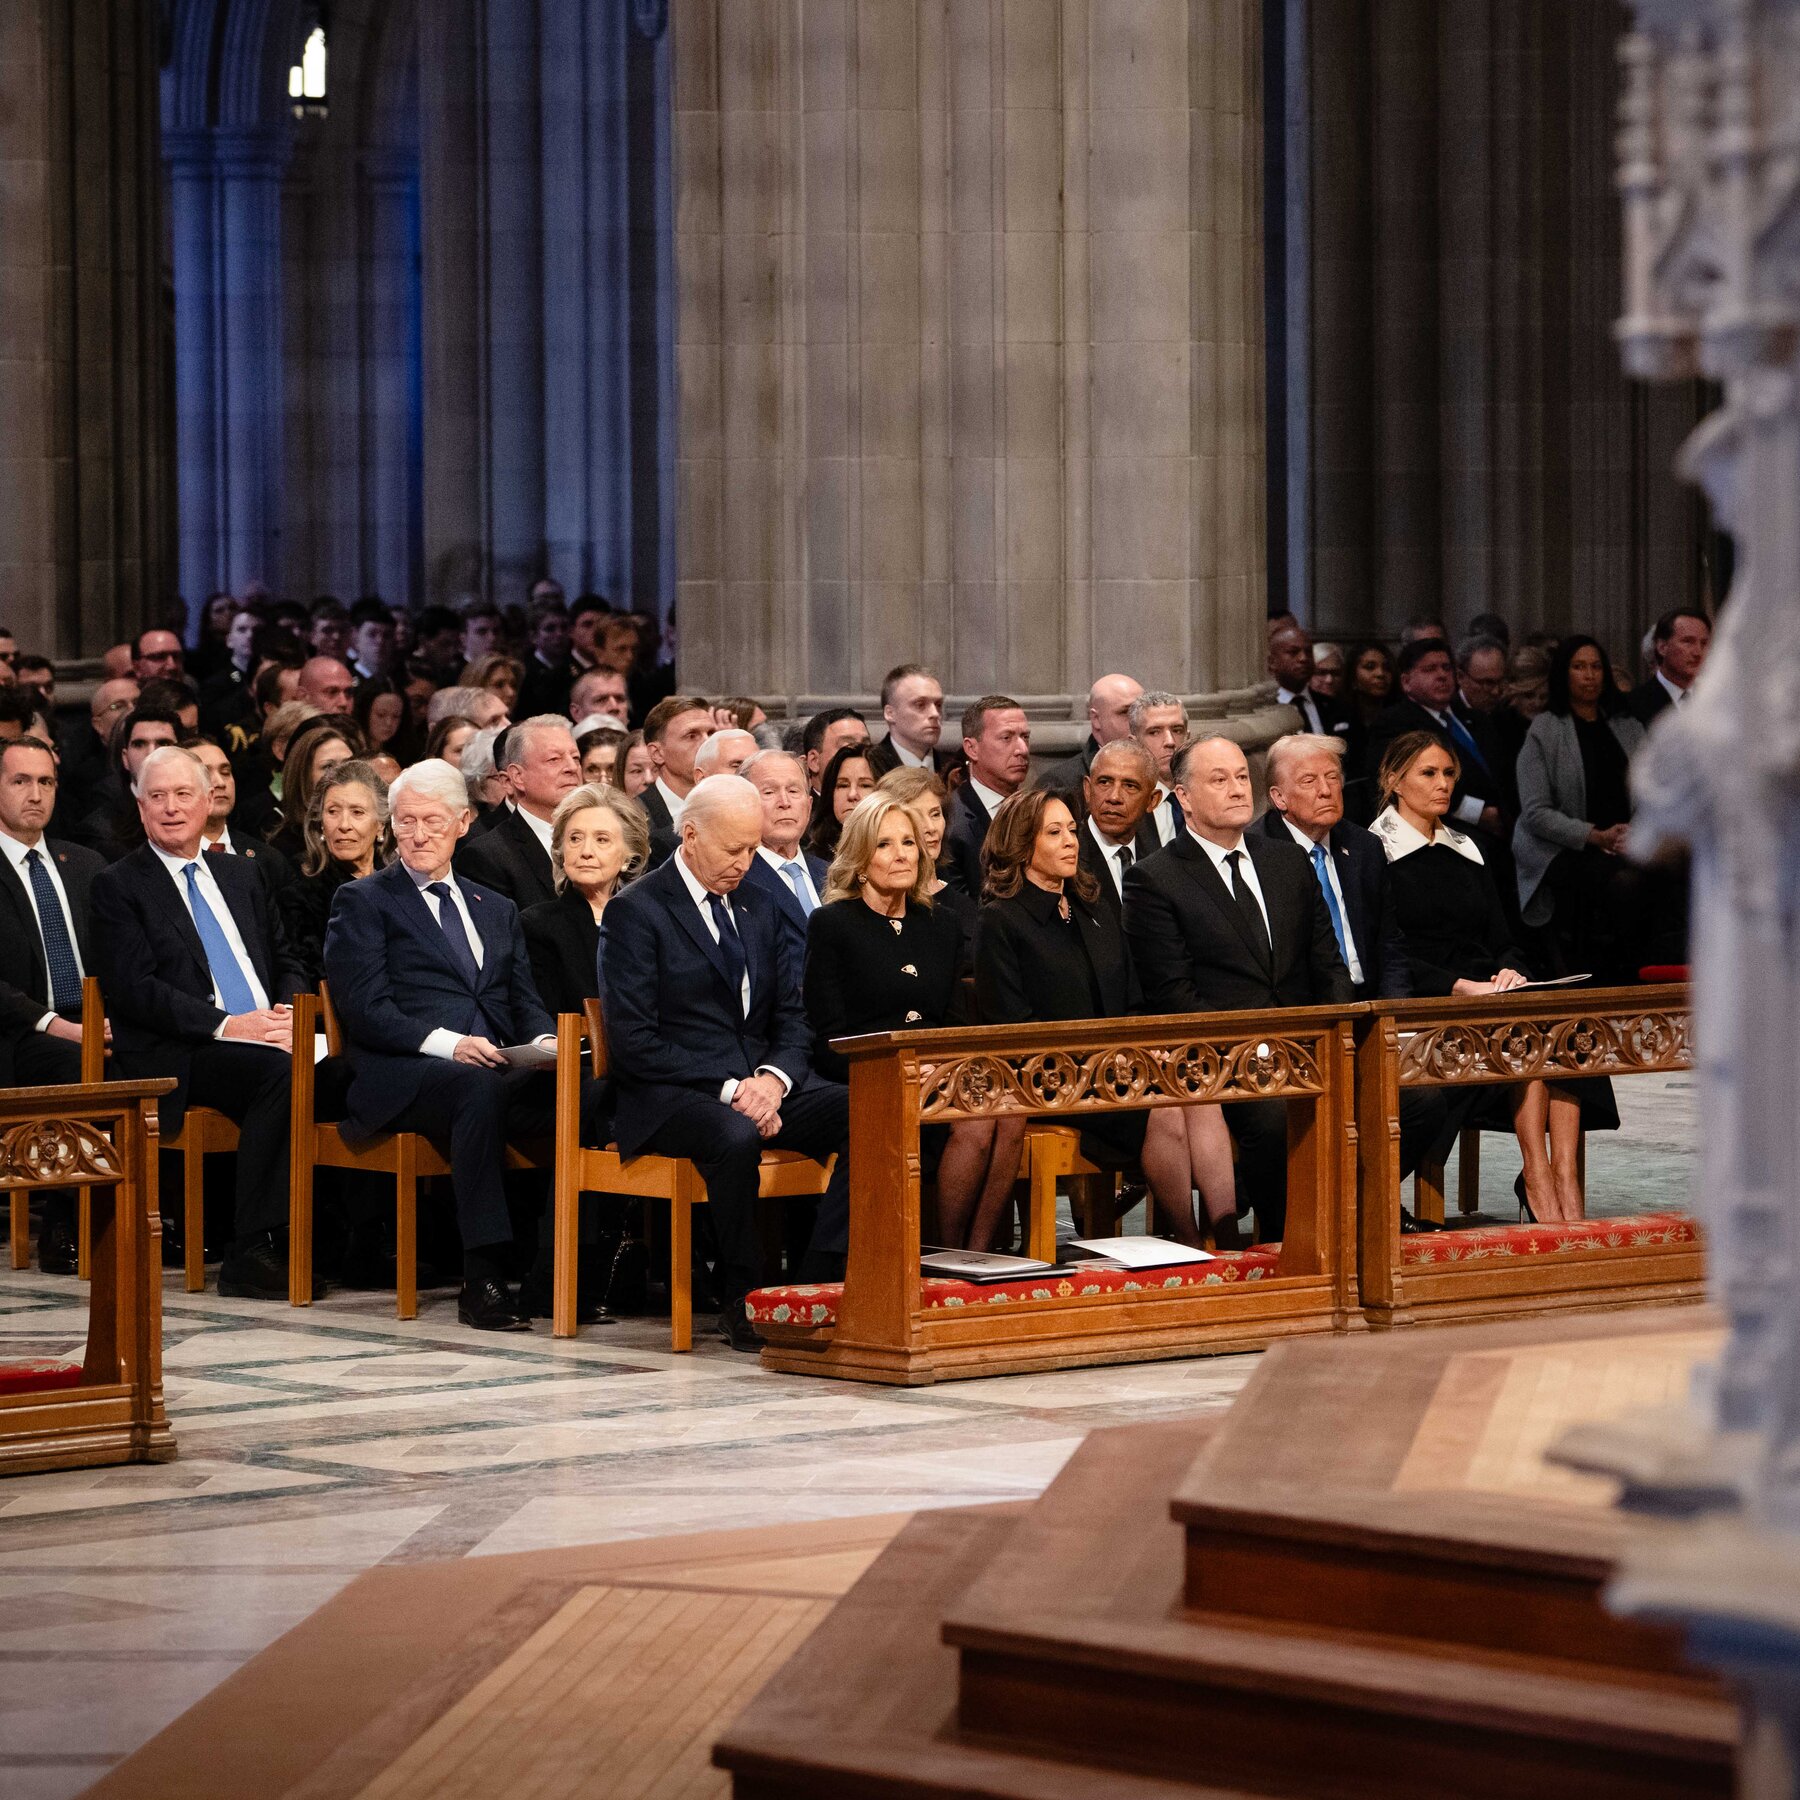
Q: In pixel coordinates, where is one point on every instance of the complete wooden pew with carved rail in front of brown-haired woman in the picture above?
(1061, 1072)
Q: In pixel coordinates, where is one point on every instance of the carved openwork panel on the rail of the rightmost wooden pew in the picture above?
(1518, 1050)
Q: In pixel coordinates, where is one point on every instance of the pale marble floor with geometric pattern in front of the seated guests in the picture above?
(321, 1443)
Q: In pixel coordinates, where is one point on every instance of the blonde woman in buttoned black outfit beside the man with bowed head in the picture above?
(883, 957)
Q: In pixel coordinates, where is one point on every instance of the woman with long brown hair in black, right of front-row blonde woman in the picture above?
(1047, 949)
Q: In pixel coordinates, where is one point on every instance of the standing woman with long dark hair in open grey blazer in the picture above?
(1574, 813)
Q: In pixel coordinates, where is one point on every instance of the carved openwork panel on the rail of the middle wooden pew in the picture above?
(1129, 1075)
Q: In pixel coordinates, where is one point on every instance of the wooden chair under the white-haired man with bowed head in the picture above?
(674, 1180)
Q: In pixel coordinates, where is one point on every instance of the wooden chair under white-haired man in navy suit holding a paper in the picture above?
(406, 1156)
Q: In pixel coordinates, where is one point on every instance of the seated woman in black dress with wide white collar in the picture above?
(1459, 942)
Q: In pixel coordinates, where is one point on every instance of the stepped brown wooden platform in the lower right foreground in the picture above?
(1363, 1585)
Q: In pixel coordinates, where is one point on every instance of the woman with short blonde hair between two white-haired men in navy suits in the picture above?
(600, 840)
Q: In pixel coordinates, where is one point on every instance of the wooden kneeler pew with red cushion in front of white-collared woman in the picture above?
(1488, 1041)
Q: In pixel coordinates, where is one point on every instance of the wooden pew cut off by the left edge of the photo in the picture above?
(102, 1137)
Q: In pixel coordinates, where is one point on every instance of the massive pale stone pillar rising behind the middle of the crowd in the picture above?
(969, 345)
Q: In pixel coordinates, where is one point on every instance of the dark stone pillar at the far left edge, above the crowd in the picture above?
(85, 503)
